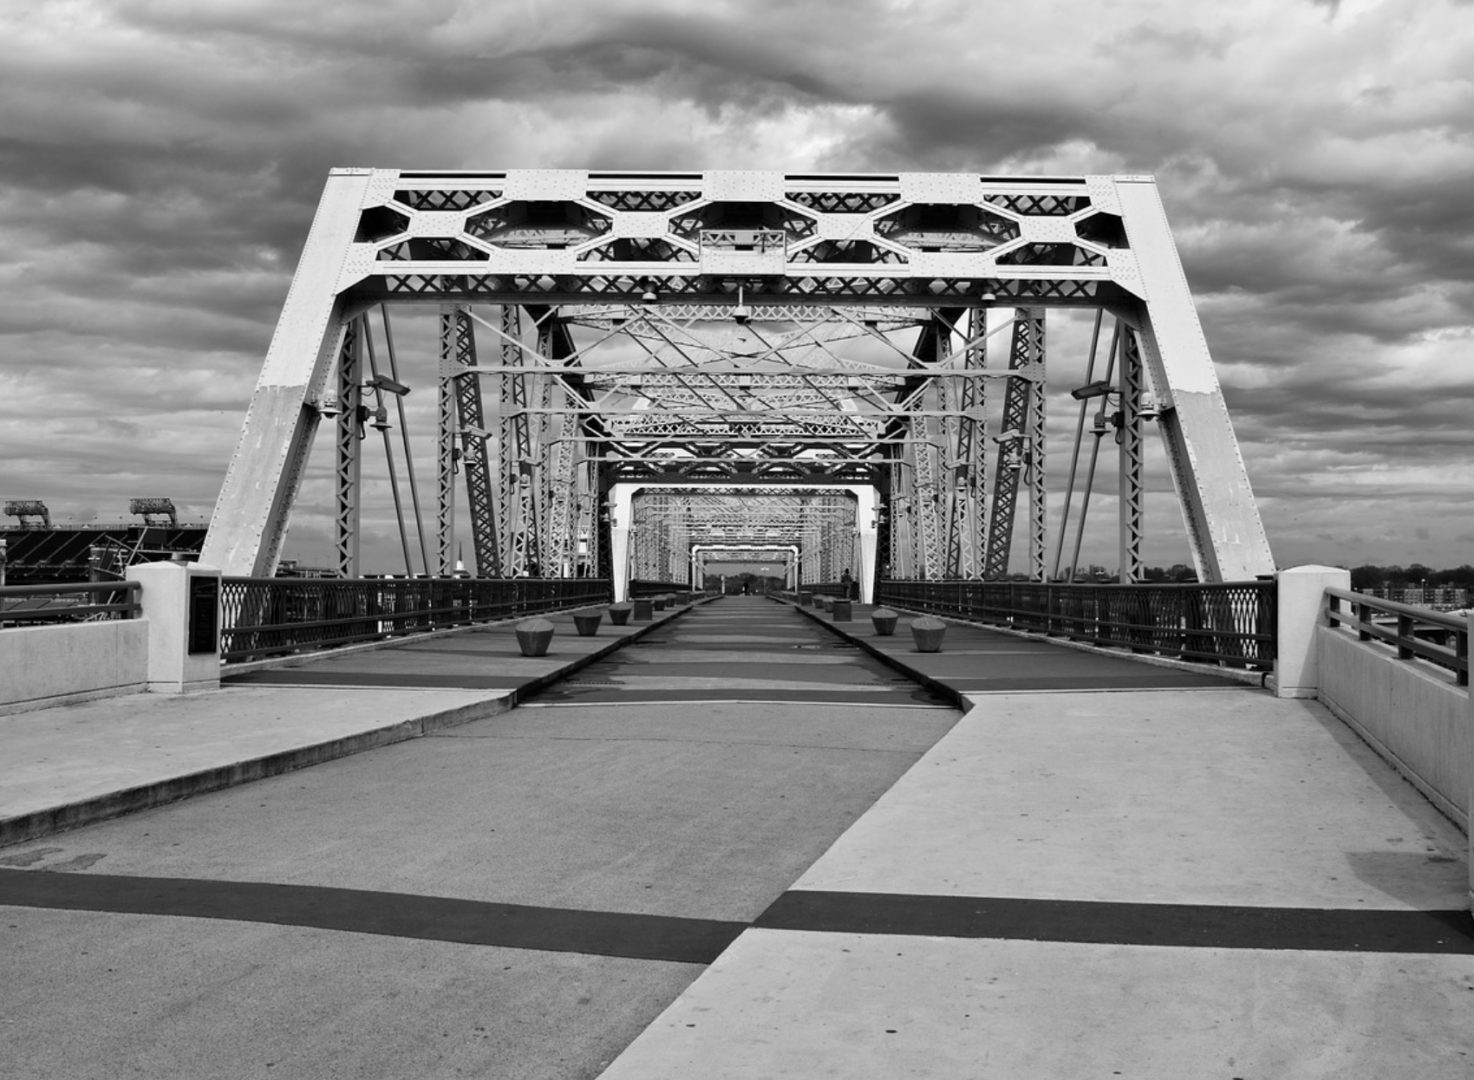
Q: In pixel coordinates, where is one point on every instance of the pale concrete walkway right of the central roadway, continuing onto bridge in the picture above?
(1156, 882)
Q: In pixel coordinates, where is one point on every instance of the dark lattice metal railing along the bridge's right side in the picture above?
(1229, 624)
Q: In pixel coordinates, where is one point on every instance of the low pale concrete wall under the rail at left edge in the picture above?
(49, 665)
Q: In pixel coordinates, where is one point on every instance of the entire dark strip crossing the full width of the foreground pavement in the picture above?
(683, 941)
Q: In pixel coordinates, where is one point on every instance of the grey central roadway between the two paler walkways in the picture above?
(518, 897)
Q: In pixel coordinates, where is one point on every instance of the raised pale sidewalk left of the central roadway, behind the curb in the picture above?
(70, 765)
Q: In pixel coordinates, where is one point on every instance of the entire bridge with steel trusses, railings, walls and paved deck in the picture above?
(1221, 823)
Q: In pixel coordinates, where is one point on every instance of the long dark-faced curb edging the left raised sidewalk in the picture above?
(147, 796)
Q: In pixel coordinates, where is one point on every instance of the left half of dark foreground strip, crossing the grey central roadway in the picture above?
(433, 919)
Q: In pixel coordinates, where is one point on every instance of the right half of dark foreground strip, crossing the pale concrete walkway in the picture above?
(1180, 926)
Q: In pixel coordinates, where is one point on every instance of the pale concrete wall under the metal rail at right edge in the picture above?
(1420, 721)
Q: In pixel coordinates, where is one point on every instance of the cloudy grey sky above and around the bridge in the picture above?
(160, 163)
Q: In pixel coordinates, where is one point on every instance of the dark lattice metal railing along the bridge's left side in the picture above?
(276, 617)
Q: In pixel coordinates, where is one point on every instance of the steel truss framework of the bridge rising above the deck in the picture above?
(640, 368)
